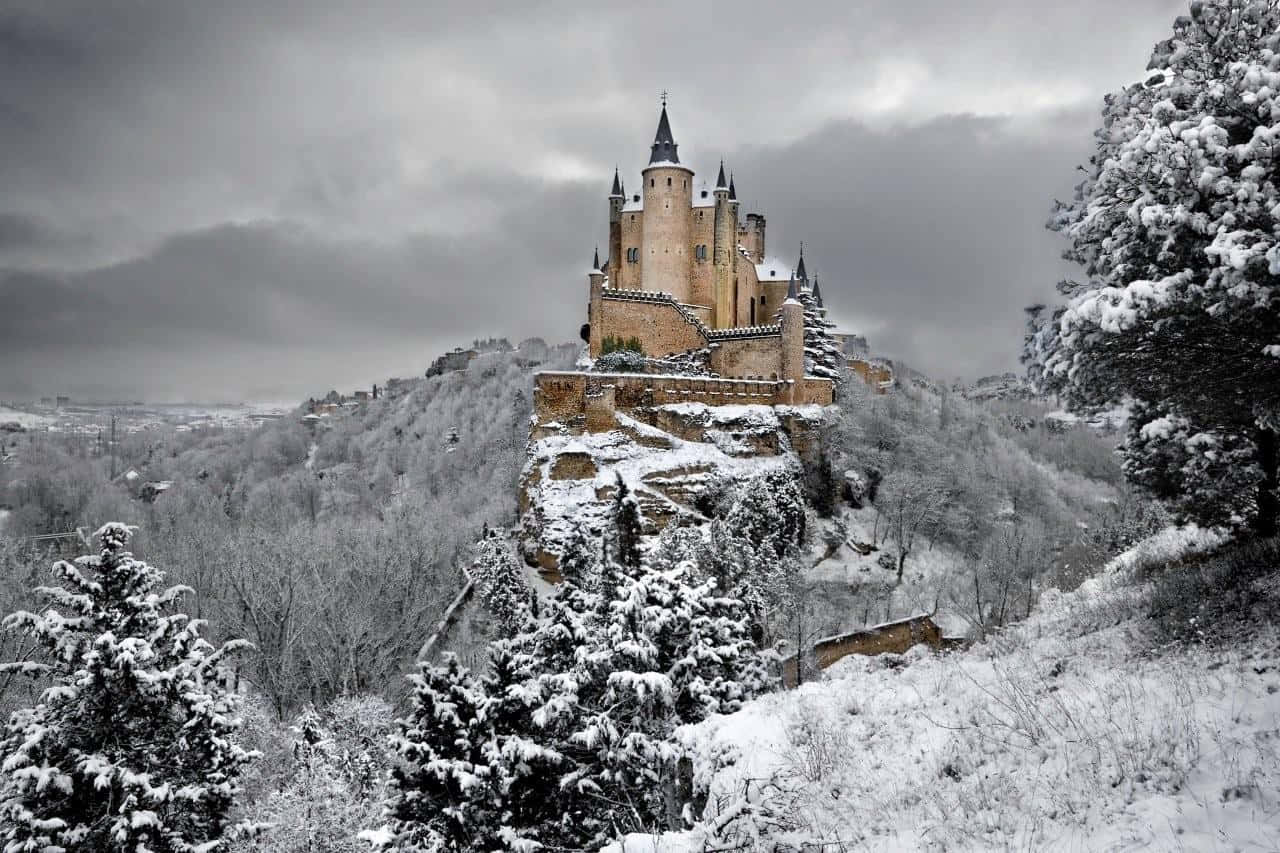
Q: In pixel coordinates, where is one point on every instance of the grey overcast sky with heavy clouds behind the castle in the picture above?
(266, 200)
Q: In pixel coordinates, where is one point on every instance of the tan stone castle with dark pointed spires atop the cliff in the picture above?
(685, 275)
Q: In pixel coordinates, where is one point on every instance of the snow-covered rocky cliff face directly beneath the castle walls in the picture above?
(671, 458)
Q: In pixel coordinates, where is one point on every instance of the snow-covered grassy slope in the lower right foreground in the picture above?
(1076, 731)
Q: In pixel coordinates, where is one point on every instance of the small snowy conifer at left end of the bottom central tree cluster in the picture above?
(446, 786)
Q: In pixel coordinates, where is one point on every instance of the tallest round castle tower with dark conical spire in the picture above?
(668, 199)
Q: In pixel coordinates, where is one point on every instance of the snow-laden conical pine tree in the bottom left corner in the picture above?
(132, 746)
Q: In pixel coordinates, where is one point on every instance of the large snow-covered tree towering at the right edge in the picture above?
(1177, 227)
